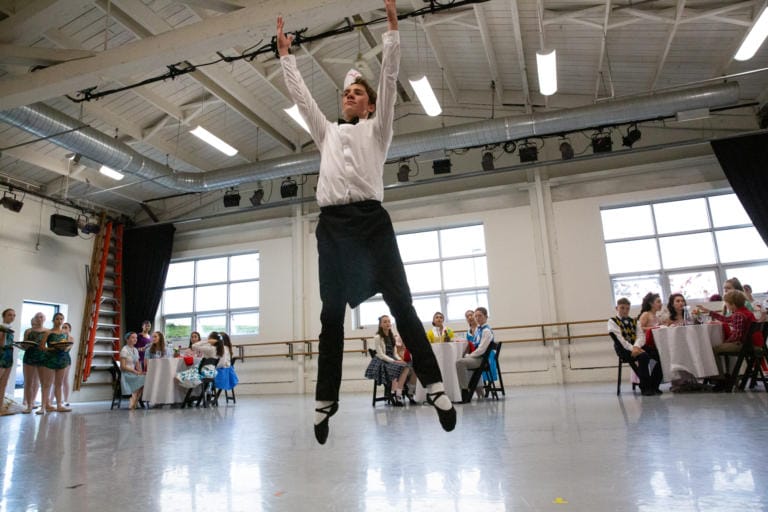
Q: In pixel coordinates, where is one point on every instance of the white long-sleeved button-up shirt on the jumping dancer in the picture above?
(351, 156)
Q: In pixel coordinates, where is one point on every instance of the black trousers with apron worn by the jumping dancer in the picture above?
(358, 257)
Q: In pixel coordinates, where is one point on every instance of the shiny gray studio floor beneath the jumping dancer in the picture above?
(574, 448)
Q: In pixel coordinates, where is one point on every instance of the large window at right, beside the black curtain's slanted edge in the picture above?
(689, 246)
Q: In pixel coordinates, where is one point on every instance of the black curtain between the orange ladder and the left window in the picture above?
(146, 256)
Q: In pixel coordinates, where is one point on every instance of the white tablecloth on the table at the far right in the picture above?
(688, 348)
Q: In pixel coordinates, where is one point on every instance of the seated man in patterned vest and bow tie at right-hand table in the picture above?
(645, 355)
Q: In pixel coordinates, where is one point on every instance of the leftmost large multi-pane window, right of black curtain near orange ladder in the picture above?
(212, 294)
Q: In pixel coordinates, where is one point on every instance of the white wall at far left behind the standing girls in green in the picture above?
(39, 265)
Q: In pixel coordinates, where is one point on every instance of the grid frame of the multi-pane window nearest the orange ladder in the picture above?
(227, 311)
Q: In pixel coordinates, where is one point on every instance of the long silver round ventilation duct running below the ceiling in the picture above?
(46, 122)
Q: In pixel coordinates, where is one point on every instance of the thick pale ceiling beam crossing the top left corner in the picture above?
(181, 44)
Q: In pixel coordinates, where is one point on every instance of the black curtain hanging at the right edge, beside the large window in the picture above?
(745, 163)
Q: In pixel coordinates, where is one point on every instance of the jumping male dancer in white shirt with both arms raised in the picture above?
(358, 254)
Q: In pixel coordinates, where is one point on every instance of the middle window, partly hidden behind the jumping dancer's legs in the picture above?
(446, 269)
